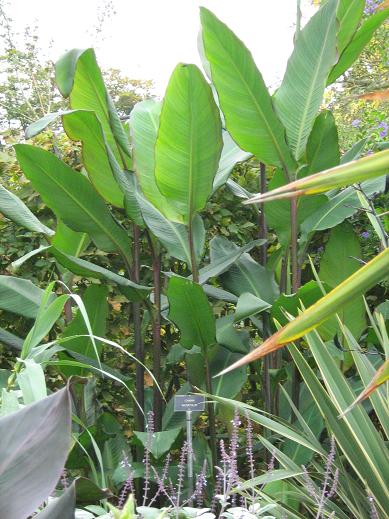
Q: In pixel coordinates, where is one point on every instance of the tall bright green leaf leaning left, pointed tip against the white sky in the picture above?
(243, 96)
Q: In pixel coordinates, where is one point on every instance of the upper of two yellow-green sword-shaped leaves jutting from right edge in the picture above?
(350, 173)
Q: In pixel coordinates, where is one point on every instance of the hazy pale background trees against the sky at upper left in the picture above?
(27, 89)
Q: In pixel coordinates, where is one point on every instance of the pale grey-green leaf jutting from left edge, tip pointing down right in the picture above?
(13, 208)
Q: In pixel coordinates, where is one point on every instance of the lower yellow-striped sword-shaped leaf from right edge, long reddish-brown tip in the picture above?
(355, 285)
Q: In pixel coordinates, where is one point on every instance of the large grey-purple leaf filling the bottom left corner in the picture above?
(34, 446)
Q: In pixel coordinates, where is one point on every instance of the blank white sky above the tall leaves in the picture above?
(147, 38)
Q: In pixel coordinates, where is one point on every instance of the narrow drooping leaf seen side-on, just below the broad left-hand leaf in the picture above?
(131, 290)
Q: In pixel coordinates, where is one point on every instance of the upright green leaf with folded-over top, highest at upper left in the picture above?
(79, 77)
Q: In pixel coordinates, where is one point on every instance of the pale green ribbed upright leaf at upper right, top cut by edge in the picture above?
(300, 95)
